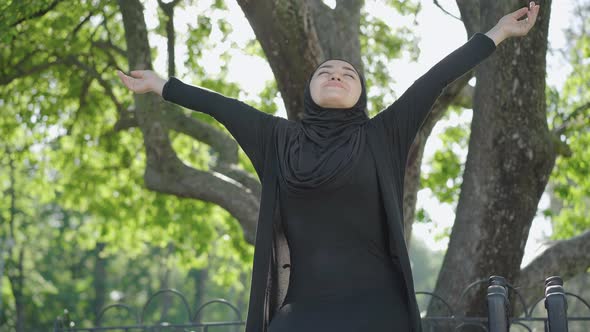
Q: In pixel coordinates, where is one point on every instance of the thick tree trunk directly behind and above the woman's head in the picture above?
(297, 35)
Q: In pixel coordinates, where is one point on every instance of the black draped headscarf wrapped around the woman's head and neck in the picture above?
(320, 154)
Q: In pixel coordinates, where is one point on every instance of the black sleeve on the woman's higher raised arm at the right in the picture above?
(403, 118)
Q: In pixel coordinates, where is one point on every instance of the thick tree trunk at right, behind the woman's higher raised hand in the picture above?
(508, 164)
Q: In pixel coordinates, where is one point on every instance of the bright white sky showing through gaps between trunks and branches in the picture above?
(251, 73)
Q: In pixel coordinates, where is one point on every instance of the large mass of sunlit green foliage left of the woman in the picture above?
(77, 182)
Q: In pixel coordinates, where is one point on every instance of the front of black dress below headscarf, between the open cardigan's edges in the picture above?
(341, 271)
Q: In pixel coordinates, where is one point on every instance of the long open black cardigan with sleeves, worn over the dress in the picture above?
(390, 134)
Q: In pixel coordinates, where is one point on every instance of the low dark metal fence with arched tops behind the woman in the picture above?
(498, 318)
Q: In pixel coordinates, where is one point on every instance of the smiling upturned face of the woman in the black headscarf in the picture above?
(335, 84)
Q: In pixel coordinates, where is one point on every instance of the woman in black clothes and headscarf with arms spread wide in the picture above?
(330, 253)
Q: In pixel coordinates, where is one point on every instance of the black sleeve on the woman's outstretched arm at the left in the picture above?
(249, 126)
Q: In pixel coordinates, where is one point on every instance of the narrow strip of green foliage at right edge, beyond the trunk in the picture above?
(569, 109)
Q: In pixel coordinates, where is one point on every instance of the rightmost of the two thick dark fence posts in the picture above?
(556, 305)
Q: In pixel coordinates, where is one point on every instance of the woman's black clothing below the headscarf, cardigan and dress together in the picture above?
(341, 276)
